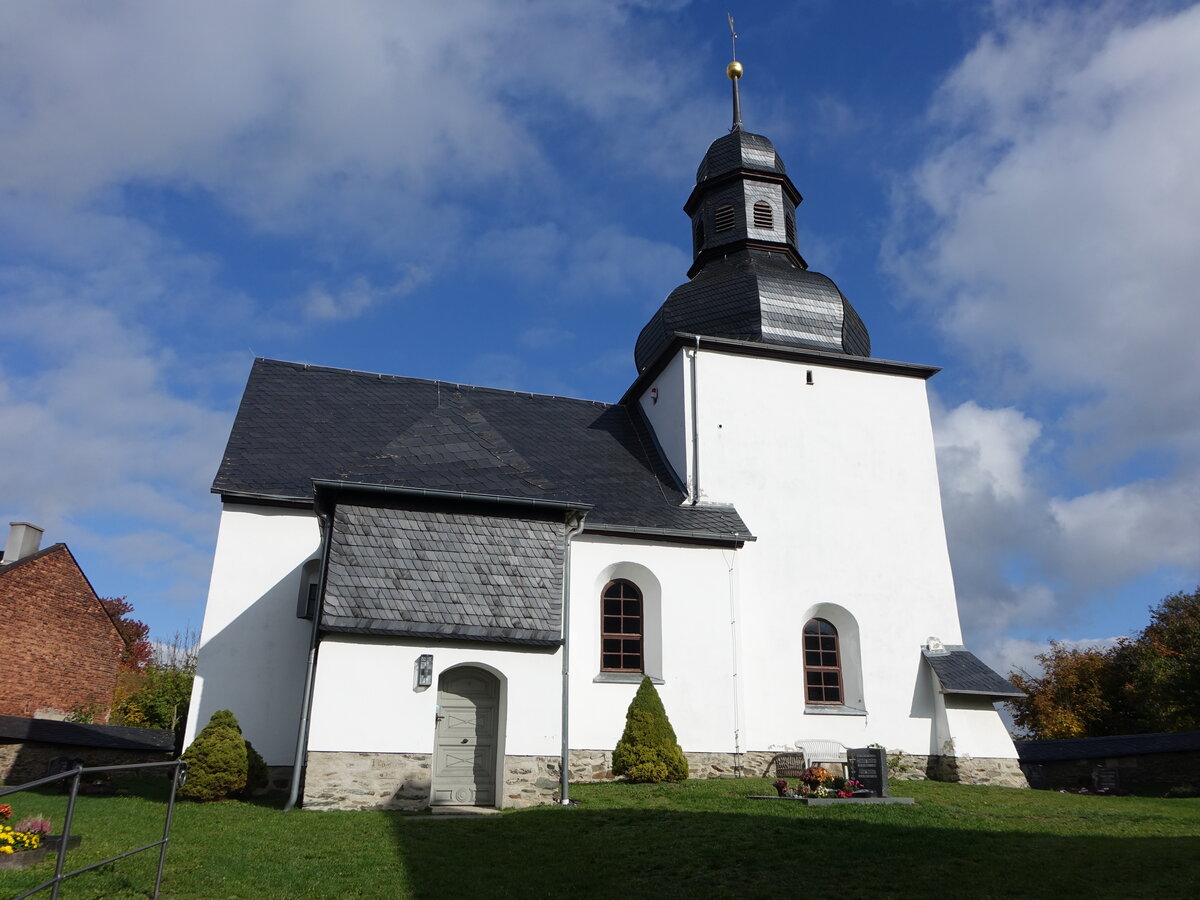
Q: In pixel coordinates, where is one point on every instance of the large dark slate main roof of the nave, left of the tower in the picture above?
(298, 424)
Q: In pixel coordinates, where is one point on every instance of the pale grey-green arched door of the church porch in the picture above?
(465, 755)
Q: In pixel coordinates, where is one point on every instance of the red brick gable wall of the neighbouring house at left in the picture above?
(58, 647)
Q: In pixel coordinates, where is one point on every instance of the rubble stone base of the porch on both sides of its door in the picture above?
(350, 781)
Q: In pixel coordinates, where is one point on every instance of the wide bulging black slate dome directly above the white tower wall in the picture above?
(754, 296)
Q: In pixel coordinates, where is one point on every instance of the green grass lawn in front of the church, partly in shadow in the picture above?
(701, 839)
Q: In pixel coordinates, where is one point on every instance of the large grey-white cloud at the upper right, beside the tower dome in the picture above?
(1065, 214)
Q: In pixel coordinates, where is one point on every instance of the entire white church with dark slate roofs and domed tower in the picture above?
(434, 593)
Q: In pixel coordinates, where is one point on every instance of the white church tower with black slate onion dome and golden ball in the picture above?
(758, 380)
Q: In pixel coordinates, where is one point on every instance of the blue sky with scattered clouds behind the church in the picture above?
(491, 194)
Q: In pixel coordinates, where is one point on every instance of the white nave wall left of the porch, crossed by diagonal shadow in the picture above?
(254, 650)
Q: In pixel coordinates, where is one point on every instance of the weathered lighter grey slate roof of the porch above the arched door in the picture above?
(431, 574)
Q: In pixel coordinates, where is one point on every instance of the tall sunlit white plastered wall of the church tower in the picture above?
(838, 482)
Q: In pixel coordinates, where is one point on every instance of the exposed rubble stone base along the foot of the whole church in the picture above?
(350, 781)
